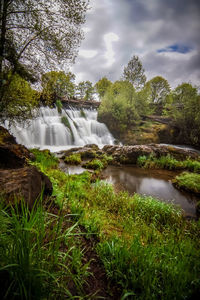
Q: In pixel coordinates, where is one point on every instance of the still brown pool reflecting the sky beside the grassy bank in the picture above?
(154, 183)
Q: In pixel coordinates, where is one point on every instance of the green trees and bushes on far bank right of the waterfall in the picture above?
(126, 102)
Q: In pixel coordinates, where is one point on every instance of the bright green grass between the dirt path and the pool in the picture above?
(148, 249)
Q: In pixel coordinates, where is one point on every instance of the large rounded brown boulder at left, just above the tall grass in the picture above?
(26, 182)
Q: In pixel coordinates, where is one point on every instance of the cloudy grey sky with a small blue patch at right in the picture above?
(165, 34)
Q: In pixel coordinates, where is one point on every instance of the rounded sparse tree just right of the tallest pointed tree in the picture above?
(160, 88)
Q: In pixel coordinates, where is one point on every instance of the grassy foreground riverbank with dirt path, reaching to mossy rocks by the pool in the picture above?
(85, 240)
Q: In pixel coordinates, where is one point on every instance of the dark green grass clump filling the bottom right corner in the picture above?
(162, 270)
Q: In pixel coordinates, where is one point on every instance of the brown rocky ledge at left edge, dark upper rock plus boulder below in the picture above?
(17, 178)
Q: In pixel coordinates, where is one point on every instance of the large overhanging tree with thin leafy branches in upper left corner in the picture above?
(38, 35)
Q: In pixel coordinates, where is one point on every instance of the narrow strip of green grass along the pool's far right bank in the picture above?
(168, 162)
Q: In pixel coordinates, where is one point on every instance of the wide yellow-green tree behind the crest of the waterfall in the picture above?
(57, 85)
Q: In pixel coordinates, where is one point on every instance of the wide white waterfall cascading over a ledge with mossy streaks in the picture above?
(56, 132)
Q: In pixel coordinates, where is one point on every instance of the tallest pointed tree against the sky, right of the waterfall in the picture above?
(134, 72)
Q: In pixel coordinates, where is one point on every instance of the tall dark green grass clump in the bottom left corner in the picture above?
(38, 259)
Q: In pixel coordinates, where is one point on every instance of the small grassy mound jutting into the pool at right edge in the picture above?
(188, 181)
